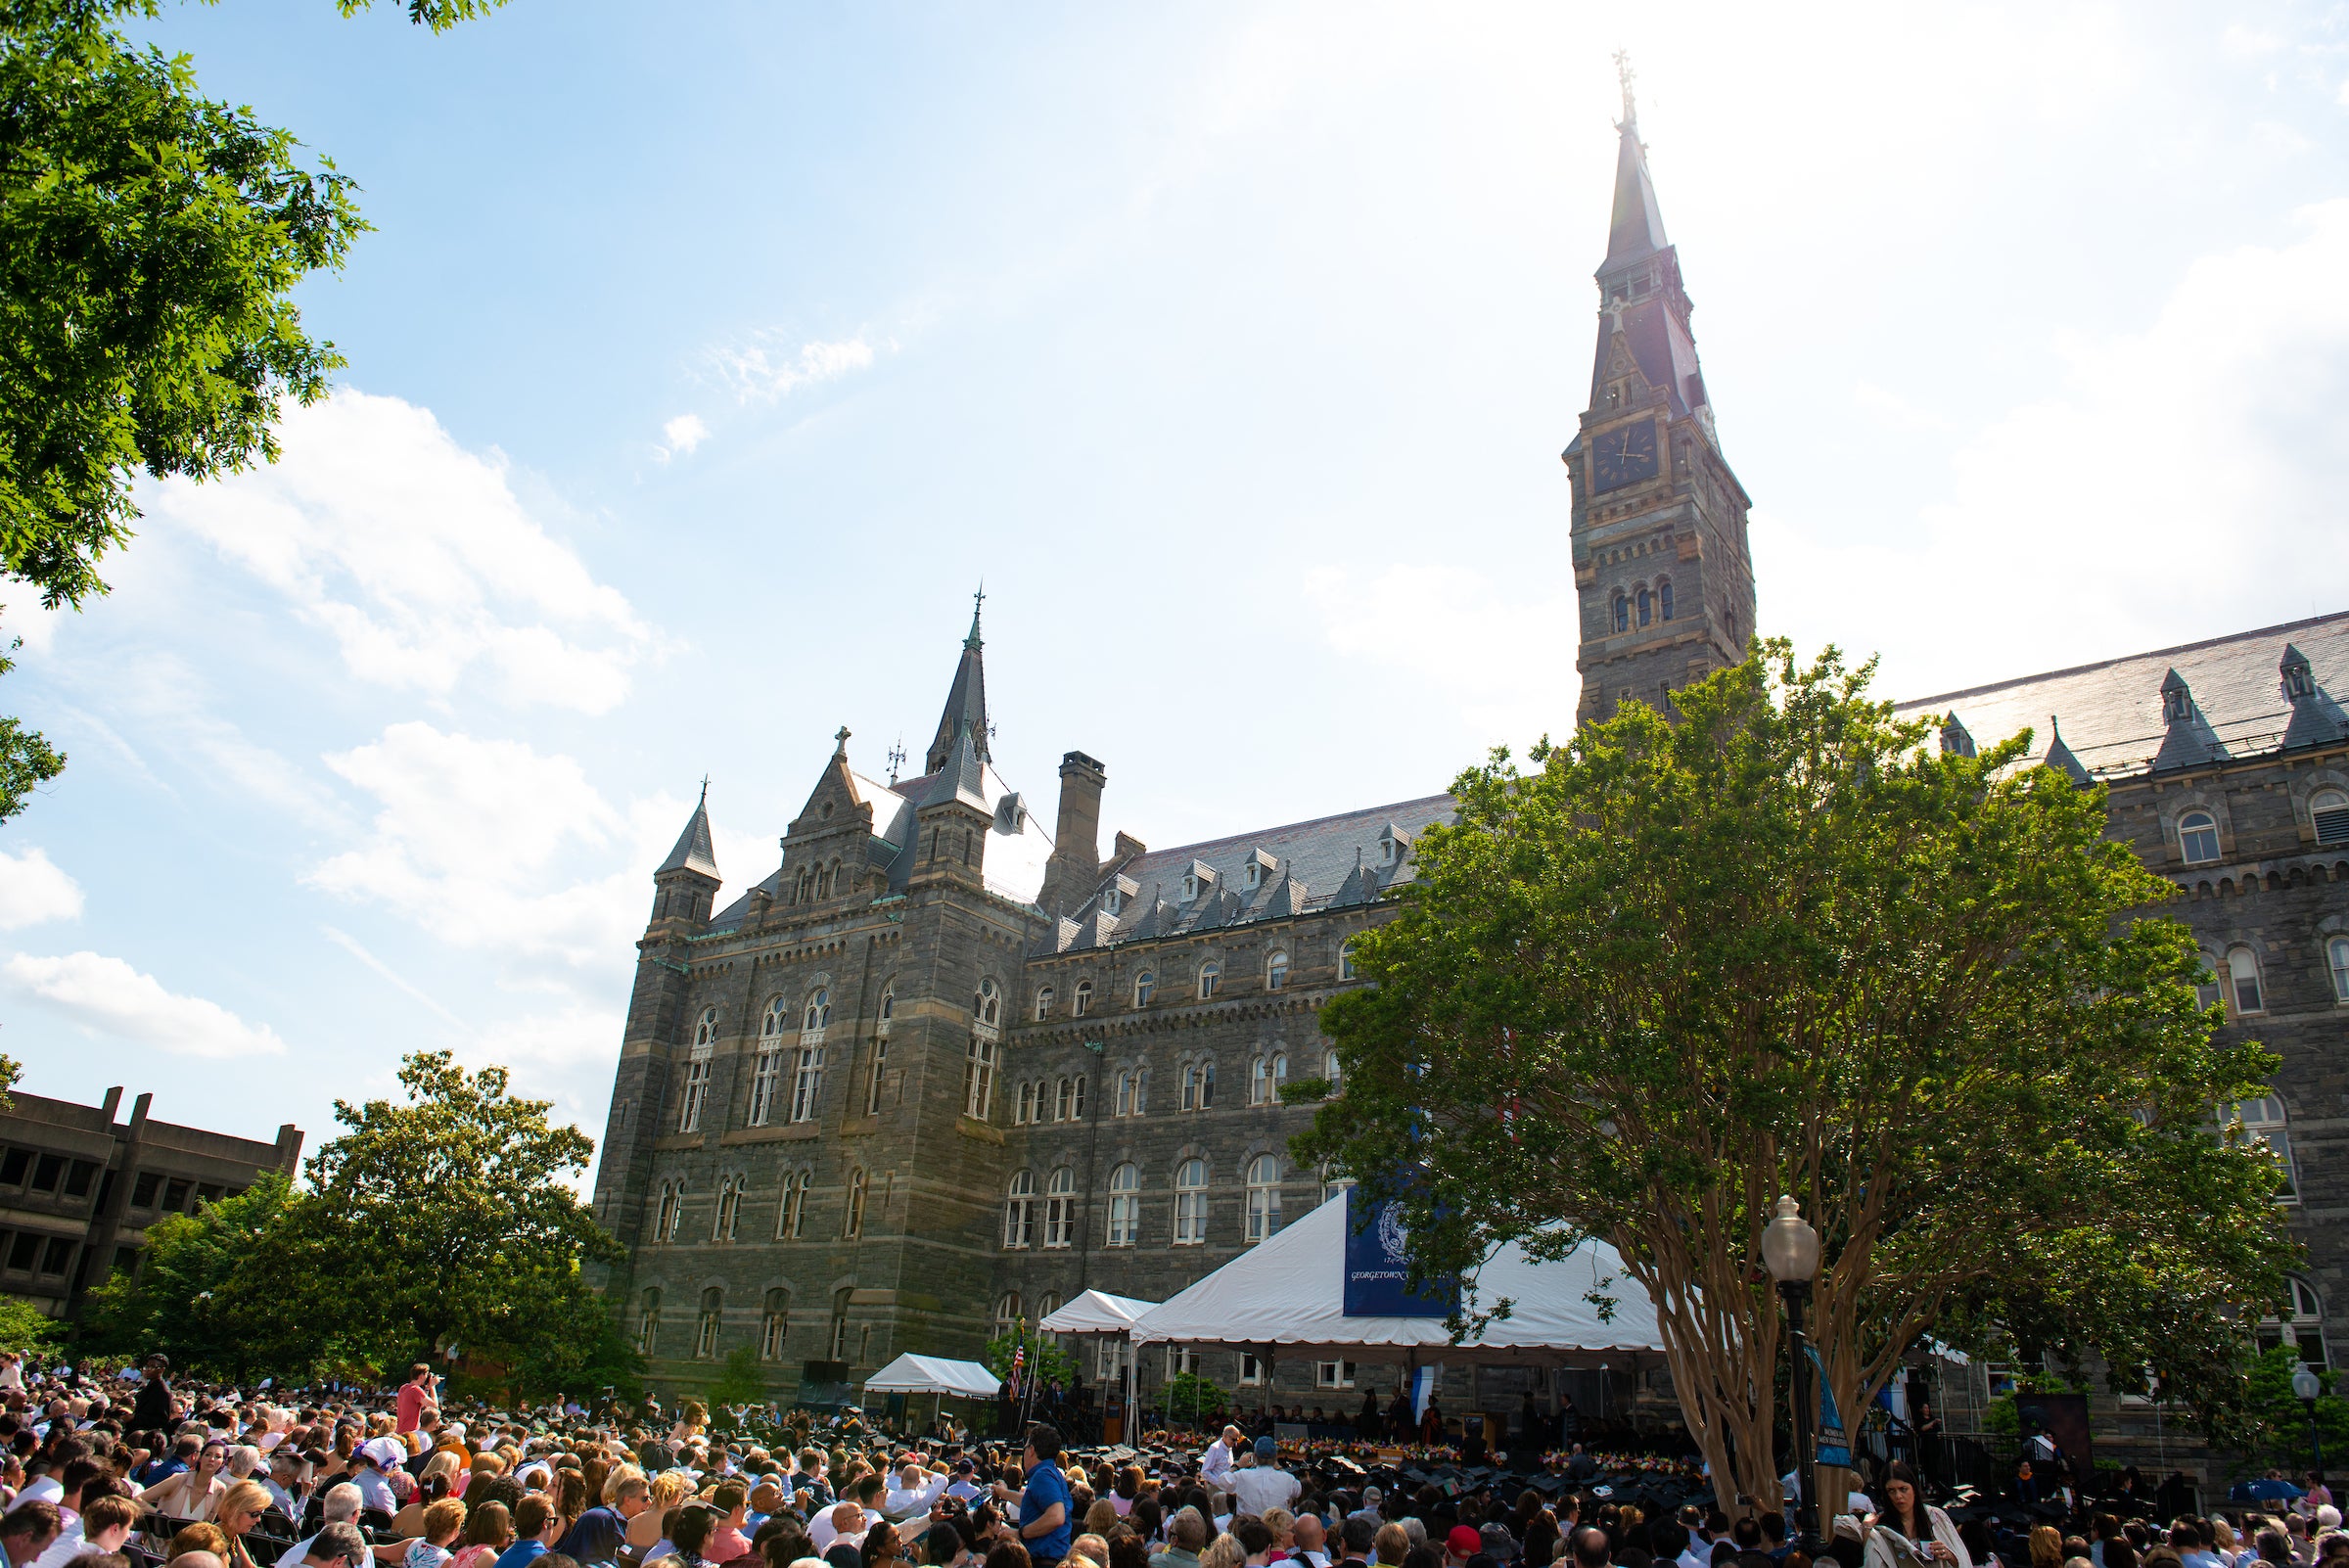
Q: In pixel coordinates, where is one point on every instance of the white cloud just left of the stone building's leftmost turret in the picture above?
(487, 844)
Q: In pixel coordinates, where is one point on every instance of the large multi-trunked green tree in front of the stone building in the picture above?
(1674, 971)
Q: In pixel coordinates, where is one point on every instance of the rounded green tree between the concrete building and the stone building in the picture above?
(447, 1219)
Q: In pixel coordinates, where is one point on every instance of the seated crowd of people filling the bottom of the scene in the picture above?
(140, 1471)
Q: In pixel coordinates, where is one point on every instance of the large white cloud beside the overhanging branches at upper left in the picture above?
(417, 557)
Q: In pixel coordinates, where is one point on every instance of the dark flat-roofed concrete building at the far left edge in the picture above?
(79, 1189)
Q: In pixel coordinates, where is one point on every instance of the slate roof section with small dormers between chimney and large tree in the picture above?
(1317, 865)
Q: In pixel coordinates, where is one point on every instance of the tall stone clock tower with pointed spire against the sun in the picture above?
(1662, 569)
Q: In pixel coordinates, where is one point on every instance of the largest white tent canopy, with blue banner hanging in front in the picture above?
(1291, 1290)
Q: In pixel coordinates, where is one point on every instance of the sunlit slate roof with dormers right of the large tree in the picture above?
(2113, 712)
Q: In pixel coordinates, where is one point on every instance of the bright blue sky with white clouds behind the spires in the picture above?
(708, 358)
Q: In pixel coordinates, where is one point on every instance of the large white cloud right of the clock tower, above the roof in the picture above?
(2176, 478)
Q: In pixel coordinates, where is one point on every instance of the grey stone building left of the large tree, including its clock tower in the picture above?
(948, 1067)
